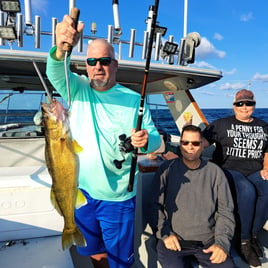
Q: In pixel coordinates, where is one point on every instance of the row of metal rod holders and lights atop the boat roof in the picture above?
(165, 50)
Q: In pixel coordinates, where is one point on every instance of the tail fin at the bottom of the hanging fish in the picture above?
(73, 238)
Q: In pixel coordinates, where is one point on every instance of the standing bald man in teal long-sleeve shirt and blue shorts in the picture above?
(102, 110)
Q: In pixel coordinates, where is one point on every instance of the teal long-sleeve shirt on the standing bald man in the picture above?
(97, 119)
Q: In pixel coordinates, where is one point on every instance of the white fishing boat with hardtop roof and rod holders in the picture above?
(30, 227)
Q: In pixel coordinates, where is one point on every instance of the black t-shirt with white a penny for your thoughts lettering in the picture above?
(240, 146)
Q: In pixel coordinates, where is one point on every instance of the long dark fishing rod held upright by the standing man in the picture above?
(143, 94)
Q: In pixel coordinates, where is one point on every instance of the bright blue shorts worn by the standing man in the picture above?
(108, 227)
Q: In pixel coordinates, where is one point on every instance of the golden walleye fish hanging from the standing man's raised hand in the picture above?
(62, 163)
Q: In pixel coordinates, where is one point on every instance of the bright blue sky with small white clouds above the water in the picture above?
(234, 38)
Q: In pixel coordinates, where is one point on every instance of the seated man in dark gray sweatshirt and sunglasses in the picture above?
(192, 211)
